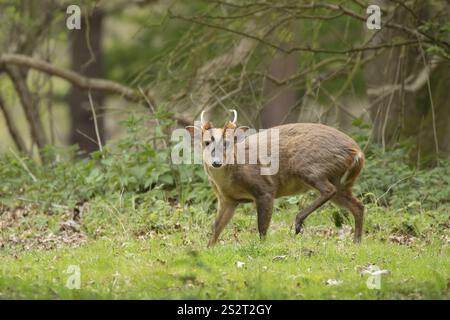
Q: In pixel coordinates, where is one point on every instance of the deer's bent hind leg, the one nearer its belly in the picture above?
(327, 191)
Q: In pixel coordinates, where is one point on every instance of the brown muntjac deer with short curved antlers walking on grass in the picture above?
(311, 156)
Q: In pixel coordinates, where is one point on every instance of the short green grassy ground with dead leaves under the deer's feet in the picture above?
(123, 258)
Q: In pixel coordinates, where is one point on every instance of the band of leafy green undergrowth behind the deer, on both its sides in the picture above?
(137, 164)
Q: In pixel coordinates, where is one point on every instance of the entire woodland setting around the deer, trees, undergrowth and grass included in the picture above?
(85, 123)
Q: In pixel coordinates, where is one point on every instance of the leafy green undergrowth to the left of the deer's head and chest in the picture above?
(130, 165)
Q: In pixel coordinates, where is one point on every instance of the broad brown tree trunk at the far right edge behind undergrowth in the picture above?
(407, 85)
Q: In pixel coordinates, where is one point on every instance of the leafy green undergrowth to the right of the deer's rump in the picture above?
(389, 179)
